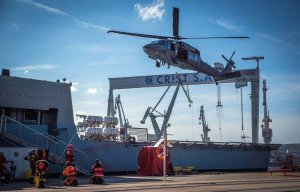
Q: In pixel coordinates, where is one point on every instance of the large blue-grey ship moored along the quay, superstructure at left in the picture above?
(39, 113)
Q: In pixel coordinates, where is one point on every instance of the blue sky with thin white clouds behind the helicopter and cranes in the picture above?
(50, 40)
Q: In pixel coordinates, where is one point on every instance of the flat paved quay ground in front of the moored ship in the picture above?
(246, 182)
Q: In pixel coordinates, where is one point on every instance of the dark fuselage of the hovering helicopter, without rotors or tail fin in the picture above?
(179, 54)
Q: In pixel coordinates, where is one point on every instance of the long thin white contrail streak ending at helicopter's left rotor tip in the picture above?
(59, 12)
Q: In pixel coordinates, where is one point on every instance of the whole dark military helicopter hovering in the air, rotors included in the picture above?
(172, 51)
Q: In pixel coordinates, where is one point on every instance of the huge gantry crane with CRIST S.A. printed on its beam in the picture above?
(248, 75)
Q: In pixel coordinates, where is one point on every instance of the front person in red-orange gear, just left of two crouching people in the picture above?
(41, 169)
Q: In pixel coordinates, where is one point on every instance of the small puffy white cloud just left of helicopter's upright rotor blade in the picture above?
(155, 11)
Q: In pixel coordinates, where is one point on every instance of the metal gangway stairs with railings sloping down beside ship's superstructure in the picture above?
(33, 138)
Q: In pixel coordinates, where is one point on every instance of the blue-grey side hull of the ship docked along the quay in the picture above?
(122, 157)
